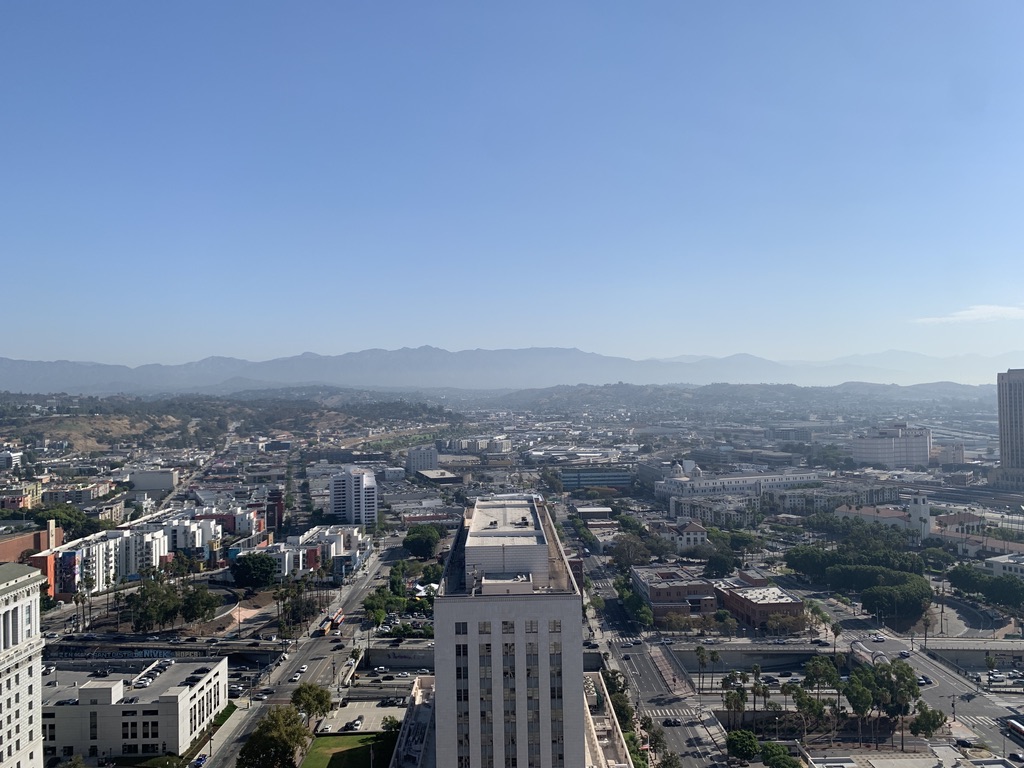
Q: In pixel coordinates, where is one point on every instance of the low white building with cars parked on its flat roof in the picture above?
(109, 717)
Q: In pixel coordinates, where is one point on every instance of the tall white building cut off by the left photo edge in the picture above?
(21, 667)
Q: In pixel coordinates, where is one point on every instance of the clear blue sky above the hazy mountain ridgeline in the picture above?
(798, 181)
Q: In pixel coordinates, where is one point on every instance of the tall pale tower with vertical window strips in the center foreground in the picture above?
(509, 654)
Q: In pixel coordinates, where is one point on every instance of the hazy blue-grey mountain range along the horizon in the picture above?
(429, 367)
